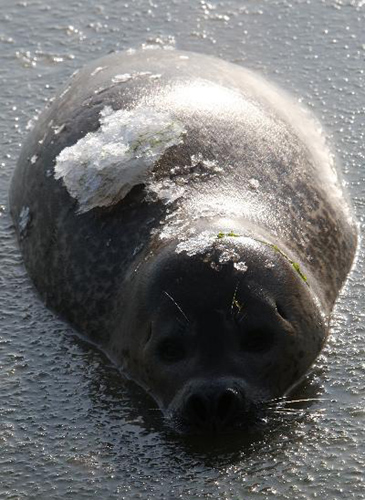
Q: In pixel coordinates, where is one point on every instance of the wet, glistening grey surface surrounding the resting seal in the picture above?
(70, 427)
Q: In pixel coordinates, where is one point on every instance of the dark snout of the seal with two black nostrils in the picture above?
(214, 408)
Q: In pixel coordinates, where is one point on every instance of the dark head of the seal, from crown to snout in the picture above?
(213, 341)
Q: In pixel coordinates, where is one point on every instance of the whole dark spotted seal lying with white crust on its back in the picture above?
(187, 216)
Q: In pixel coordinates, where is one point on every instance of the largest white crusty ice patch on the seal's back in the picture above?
(102, 167)
